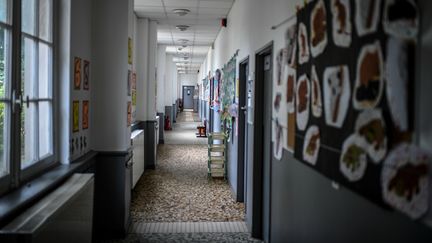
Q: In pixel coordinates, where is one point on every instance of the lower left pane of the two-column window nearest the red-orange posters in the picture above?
(28, 135)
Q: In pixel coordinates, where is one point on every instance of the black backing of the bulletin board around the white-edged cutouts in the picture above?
(332, 138)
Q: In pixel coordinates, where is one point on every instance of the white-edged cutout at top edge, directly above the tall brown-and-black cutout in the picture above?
(367, 16)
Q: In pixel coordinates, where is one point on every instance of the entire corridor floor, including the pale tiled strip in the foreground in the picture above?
(178, 199)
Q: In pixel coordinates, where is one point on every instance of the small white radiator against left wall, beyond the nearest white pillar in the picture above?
(137, 138)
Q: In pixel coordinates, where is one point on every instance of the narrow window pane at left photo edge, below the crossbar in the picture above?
(4, 165)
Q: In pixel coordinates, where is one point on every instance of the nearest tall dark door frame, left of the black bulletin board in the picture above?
(258, 138)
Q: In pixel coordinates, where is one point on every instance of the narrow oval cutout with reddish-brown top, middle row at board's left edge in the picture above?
(302, 102)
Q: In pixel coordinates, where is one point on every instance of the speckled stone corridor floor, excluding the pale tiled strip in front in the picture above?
(179, 190)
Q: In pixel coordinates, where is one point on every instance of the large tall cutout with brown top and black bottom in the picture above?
(370, 77)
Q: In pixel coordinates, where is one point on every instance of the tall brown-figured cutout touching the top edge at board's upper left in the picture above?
(318, 29)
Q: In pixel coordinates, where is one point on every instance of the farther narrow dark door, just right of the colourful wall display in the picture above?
(242, 119)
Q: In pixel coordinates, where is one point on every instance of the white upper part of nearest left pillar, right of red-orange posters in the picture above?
(109, 75)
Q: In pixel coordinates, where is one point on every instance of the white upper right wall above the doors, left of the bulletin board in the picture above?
(249, 29)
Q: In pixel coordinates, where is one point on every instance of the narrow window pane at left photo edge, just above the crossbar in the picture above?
(4, 62)
